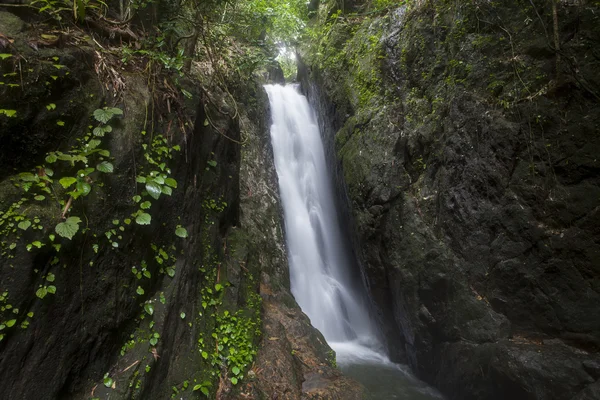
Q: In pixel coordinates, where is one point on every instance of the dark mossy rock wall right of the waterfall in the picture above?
(472, 172)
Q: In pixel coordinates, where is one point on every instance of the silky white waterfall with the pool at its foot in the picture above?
(321, 277)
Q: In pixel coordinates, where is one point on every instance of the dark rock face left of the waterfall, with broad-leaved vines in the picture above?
(97, 325)
